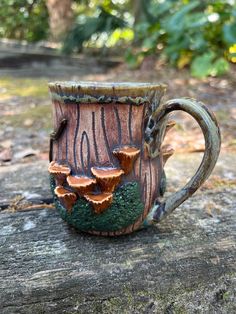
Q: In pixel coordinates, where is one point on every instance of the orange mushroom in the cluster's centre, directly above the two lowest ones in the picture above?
(82, 185)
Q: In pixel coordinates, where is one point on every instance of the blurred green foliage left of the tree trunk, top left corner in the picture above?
(24, 19)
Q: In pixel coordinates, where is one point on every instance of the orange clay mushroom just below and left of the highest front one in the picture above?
(107, 178)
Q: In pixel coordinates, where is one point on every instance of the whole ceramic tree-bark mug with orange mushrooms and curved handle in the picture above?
(107, 158)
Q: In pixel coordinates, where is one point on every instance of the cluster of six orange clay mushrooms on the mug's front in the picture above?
(105, 180)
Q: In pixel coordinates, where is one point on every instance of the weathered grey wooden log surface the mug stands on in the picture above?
(184, 265)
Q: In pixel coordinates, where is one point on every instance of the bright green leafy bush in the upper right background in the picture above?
(195, 33)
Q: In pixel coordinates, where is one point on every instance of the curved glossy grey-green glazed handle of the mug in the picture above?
(208, 123)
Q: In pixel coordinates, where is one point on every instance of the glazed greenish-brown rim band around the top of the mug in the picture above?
(106, 92)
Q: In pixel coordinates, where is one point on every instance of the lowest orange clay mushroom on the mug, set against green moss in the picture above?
(100, 202)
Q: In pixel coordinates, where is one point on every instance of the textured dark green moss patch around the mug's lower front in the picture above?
(126, 207)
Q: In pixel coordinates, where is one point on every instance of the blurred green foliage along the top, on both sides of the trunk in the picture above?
(199, 35)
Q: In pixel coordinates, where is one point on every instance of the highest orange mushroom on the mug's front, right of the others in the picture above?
(127, 156)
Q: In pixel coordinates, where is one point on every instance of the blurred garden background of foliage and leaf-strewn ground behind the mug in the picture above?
(190, 45)
